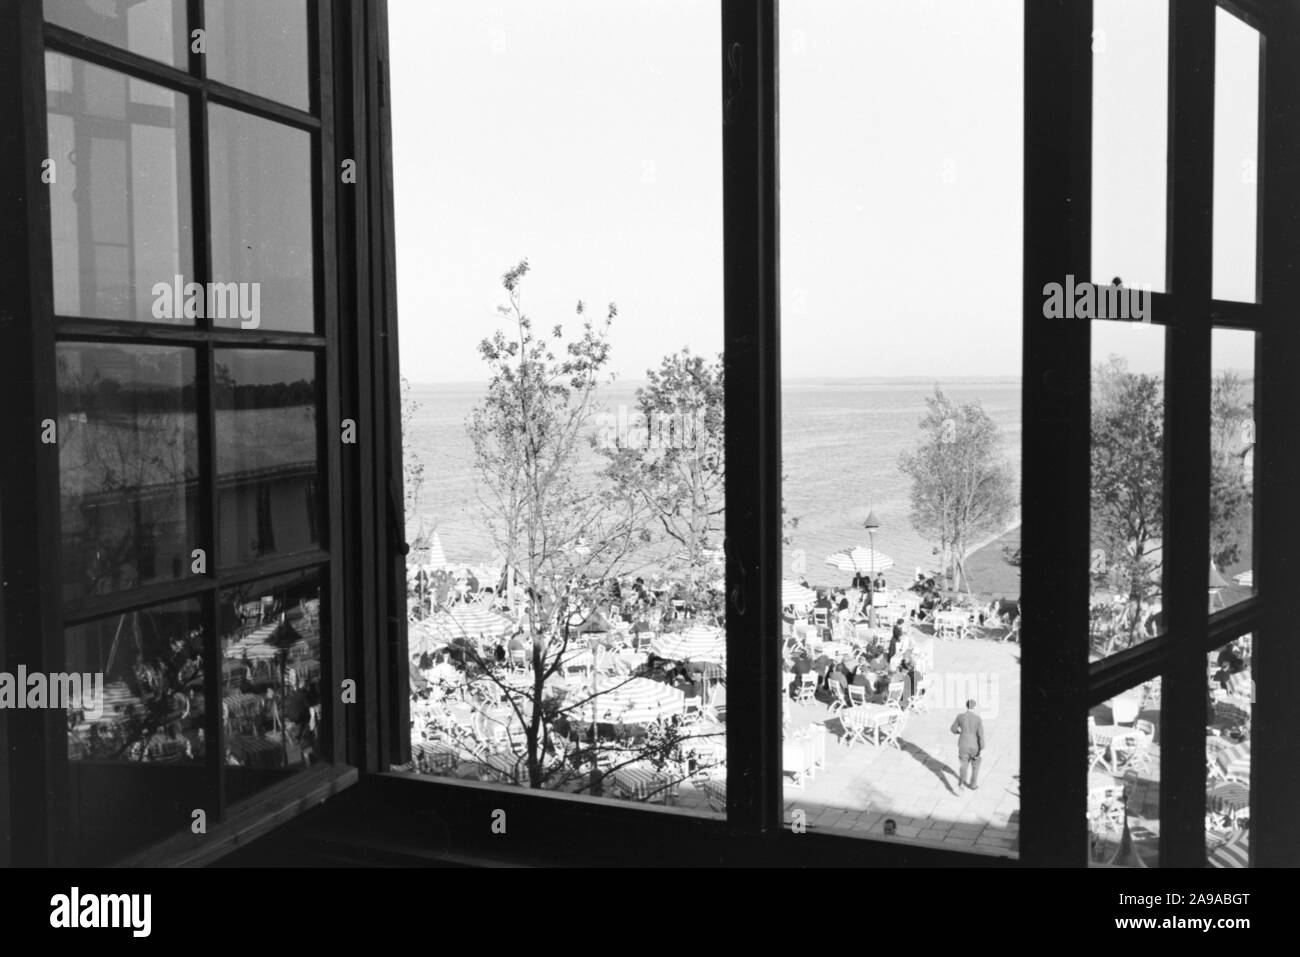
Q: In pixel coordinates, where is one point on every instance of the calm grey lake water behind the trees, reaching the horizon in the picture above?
(842, 445)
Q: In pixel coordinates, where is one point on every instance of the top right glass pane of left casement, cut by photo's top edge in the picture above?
(261, 46)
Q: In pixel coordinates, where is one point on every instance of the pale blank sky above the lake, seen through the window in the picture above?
(586, 137)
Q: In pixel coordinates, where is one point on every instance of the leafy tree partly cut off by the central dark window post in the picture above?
(675, 465)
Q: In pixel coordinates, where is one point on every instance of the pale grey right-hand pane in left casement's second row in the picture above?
(262, 222)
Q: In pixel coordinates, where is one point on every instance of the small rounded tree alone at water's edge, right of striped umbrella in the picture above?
(961, 490)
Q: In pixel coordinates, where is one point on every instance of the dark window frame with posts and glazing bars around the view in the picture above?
(366, 553)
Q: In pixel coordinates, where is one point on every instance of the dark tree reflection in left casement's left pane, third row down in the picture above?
(127, 461)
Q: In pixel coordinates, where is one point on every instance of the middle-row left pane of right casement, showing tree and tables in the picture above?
(1128, 565)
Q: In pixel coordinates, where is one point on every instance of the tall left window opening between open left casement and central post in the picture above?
(577, 646)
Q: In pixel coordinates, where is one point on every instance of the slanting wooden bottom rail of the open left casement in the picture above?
(248, 821)
